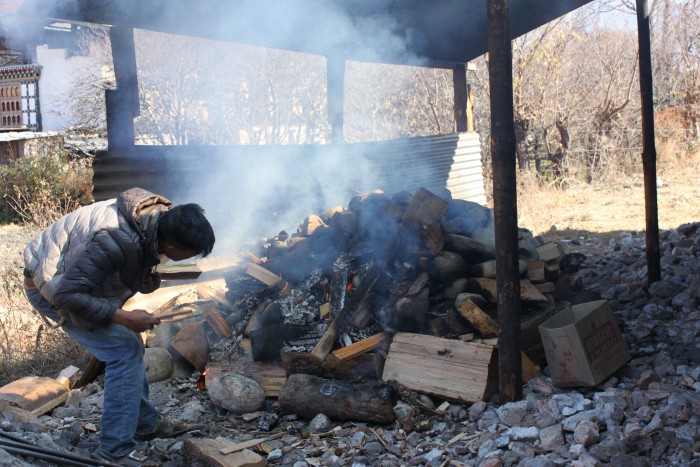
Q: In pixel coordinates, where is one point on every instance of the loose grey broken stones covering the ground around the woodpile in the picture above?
(647, 413)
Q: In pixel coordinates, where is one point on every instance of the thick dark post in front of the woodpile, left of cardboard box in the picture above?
(505, 199)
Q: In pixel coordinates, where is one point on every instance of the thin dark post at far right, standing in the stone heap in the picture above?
(649, 147)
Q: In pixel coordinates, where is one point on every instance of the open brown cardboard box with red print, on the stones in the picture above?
(583, 344)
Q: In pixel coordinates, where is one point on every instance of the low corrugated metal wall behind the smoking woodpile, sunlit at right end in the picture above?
(433, 162)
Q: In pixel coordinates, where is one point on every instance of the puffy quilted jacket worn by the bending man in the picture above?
(89, 262)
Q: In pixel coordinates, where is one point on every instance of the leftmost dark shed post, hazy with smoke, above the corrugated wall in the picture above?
(123, 102)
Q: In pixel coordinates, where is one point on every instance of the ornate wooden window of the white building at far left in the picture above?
(19, 97)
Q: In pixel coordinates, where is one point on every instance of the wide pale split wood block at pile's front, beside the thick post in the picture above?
(443, 367)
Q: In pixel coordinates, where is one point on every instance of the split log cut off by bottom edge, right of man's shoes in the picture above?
(206, 452)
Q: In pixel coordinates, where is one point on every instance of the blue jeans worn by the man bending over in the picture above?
(127, 409)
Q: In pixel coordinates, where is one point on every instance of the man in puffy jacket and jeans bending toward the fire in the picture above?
(81, 270)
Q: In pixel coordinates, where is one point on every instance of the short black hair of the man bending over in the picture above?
(185, 226)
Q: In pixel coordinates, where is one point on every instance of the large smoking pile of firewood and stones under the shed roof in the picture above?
(393, 289)
